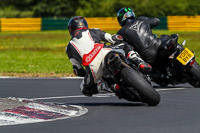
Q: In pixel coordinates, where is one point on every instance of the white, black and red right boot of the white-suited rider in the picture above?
(141, 64)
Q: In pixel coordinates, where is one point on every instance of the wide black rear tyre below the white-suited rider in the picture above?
(136, 82)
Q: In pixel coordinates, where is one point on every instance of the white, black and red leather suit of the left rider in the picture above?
(86, 49)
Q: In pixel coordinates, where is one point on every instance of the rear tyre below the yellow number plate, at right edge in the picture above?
(194, 71)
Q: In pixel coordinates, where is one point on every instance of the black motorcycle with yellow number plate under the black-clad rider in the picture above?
(175, 65)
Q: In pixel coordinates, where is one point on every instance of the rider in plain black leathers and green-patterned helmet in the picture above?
(137, 32)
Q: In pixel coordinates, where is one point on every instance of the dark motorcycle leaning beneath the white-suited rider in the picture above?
(134, 86)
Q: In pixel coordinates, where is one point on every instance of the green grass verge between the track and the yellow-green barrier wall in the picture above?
(44, 52)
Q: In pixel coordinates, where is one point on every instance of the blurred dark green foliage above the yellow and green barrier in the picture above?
(96, 8)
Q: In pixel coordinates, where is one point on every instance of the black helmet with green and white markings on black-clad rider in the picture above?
(123, 14)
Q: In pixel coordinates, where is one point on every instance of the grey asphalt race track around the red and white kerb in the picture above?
(178, 112)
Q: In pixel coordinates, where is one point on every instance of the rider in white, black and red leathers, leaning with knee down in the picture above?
(85, 50)
